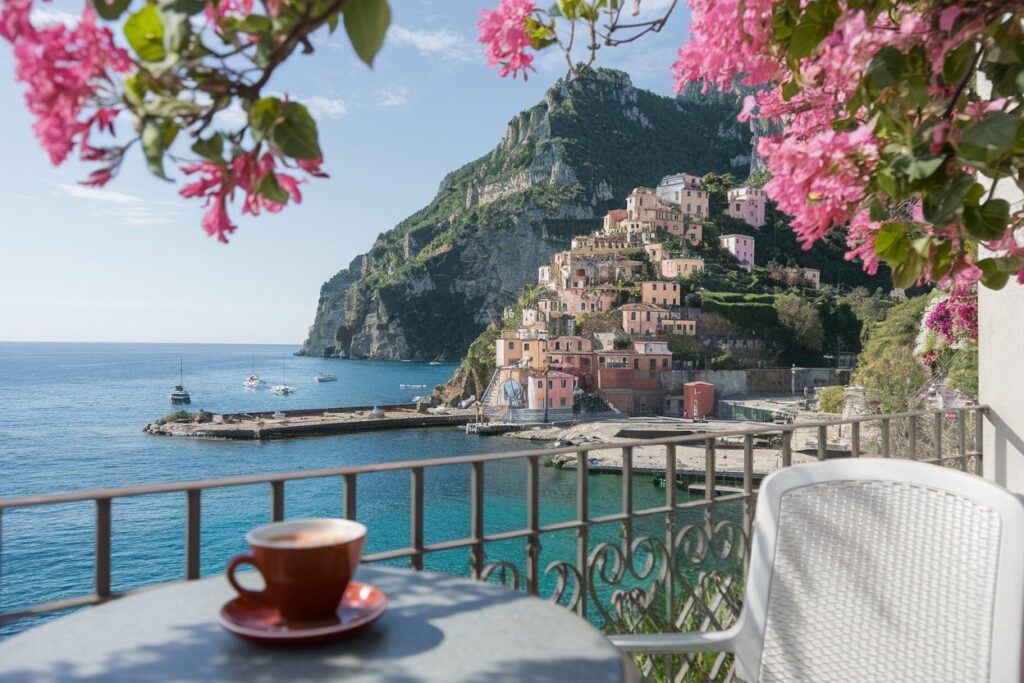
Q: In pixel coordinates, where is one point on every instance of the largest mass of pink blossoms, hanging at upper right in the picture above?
(821, 177)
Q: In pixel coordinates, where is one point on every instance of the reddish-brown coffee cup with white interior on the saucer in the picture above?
(307, 565)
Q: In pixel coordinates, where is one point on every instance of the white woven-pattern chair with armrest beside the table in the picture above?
(876, 570)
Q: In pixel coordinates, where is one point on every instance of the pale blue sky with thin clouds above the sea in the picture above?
(132, 264)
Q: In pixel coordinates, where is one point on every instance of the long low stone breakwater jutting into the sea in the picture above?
(307, 422)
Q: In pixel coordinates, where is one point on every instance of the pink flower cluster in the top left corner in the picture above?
(67, 70)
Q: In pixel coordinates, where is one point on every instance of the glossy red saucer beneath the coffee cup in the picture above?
(262, 623)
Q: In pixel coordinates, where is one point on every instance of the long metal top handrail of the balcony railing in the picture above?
(252, 480)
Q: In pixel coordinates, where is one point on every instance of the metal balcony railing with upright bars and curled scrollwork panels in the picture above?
(676, 566)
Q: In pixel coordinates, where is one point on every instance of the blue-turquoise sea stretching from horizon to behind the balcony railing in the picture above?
(72, 418)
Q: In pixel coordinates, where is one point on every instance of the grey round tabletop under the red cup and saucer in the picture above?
(437, 628)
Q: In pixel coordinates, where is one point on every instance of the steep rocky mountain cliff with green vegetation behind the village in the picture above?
(429, 287)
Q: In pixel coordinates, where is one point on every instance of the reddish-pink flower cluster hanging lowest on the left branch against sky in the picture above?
(218, 183)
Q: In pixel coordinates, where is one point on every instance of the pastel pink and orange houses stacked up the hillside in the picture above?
(630, 275)
